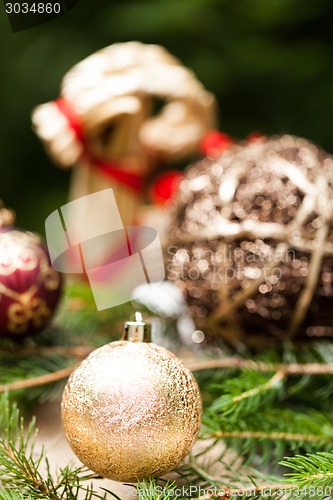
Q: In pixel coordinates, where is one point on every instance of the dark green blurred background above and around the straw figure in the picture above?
(269, 62)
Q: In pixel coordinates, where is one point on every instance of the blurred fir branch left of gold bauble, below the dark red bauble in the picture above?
(47, 362)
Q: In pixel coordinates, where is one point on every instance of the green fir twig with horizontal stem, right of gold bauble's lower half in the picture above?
(268, 434)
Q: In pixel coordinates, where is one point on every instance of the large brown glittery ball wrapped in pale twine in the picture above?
(251, 242)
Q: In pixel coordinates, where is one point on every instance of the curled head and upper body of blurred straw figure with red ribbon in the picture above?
(104, 123)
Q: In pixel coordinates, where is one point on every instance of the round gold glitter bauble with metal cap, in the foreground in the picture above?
(131, 409)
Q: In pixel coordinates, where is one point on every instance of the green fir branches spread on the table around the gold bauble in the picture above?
(260, 407)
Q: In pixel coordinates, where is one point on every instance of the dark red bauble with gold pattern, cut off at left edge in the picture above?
(30, 288)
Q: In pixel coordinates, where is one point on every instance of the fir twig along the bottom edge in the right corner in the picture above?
(312, 477)
